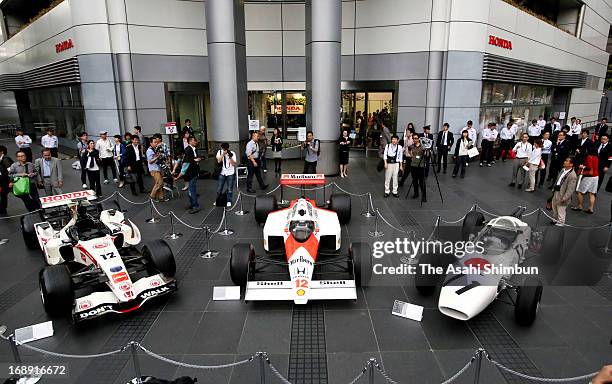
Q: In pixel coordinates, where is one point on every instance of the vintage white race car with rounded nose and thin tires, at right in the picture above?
(477, 279)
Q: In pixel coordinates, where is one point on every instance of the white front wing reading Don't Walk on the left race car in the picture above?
(100, 303)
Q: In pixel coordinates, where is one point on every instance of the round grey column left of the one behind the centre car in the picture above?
(227, 70)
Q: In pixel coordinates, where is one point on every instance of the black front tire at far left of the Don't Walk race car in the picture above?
(56, 290)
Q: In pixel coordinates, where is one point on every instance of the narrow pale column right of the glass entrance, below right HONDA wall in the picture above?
(436, 69)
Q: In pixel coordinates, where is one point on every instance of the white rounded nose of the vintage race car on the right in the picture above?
(465, 302)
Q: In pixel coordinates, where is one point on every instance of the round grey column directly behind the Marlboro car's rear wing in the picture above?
(323, 37)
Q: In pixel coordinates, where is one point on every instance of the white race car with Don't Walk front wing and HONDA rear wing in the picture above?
(93, 266)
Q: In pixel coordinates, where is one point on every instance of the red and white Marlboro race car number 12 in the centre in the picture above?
(303, 240)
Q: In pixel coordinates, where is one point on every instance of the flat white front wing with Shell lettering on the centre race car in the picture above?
(316, 290)
